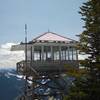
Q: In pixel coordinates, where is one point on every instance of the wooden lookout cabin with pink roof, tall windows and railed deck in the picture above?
(48, 56)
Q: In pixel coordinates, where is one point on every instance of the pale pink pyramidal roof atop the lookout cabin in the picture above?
(50, 36)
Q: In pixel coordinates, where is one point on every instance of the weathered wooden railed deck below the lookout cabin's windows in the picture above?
(46, 66)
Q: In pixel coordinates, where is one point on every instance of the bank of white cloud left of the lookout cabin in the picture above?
(8, 59)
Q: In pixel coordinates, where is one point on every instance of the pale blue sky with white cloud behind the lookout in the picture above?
(59, 16)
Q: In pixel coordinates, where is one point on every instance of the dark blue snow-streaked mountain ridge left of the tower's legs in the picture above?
(10, 84)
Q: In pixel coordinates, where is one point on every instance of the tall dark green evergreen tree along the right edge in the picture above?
(87, 87)
